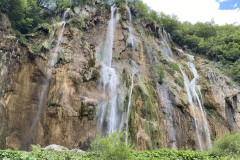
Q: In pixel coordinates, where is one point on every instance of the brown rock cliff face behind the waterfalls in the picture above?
(160, 114)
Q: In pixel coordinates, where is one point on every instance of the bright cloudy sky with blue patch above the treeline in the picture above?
(222, 11)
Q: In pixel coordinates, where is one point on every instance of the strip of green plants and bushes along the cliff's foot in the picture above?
(114, 147)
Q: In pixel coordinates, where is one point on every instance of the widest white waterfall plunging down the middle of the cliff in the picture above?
(109, 108)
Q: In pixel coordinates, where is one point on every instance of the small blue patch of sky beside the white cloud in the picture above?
(229, 4)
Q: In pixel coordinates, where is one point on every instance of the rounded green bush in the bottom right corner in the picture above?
(228, 145)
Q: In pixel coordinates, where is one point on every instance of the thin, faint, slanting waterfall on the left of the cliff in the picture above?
(44, 90)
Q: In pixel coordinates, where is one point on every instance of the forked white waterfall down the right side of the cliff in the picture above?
(191, 86)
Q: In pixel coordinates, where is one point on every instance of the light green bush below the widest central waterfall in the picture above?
(112, 147)
